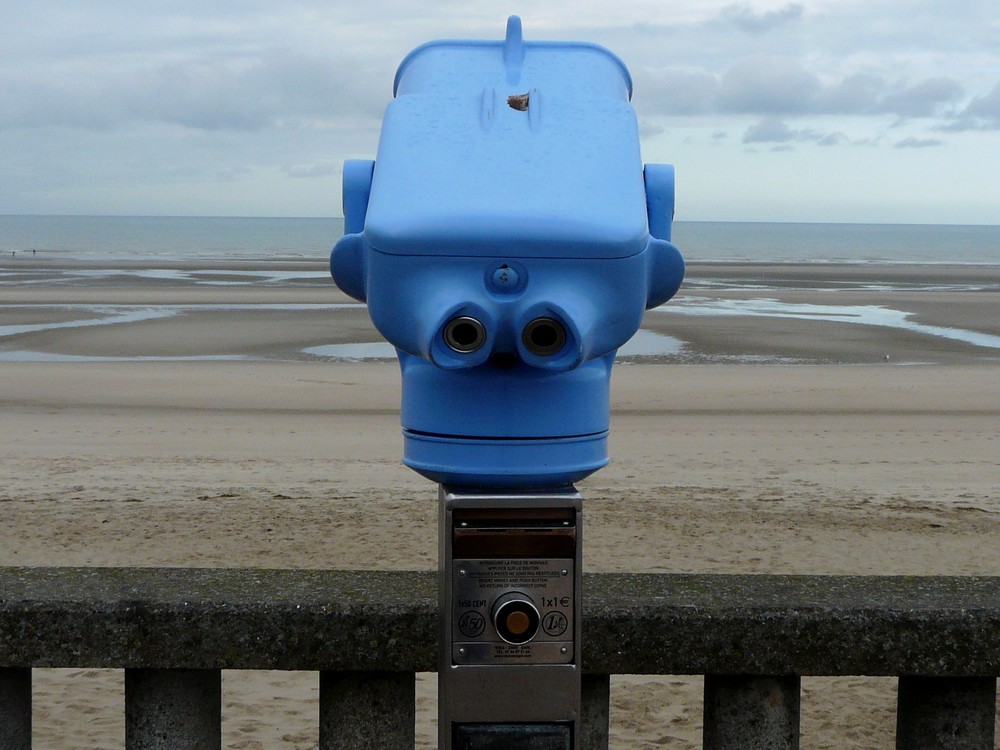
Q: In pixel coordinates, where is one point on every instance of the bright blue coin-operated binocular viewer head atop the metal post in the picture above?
(507, 240)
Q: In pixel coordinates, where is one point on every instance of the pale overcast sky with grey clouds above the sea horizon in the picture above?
(809, 110)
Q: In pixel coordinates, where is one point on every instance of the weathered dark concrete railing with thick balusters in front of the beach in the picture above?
(369, 633)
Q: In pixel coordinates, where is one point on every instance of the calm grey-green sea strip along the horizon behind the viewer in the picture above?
(200, 239)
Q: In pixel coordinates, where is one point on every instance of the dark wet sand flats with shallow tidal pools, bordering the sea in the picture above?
(725, 313)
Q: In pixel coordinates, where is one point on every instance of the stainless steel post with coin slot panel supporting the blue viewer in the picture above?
(510, 571)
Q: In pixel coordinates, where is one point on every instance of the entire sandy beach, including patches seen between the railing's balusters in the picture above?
(207, 434)
